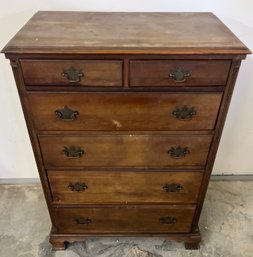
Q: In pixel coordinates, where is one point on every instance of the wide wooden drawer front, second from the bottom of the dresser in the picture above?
(110, 187)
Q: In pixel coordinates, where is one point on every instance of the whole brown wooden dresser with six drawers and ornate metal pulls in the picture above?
(125, 112)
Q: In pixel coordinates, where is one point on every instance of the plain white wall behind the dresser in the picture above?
(235, 152)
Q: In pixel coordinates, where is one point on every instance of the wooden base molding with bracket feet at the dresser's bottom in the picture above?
(60, 242)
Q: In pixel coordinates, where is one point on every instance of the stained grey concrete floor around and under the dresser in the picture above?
(226, 226)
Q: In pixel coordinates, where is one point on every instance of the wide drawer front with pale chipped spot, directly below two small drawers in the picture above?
(129, 111)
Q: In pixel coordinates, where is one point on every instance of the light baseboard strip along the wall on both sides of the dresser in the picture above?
(9, 181)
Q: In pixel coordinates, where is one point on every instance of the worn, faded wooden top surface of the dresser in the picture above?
(130, 33)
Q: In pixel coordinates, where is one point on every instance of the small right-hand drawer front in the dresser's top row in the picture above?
(179, 73)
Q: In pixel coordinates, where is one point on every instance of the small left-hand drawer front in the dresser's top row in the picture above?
(69, 73)
